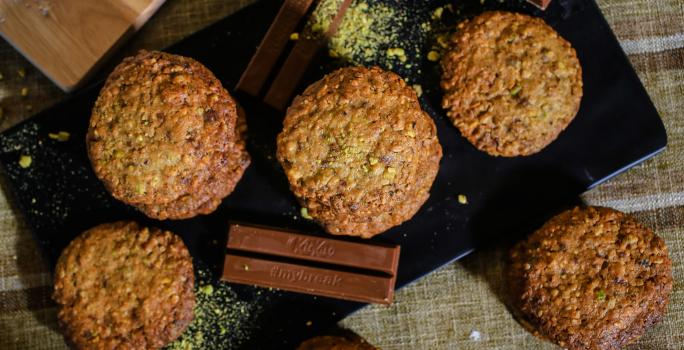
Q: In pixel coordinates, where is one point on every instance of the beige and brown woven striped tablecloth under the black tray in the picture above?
(443, 310)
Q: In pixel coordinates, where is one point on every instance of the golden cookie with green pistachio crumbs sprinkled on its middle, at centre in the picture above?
(359, 152)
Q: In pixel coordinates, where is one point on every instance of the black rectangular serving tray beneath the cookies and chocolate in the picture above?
(616, 128)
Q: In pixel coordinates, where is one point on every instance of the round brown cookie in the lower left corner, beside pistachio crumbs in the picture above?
(123, 286)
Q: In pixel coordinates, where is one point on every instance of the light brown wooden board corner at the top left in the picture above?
(66, 39)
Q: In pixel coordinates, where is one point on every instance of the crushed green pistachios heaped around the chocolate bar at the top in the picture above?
(387, 33)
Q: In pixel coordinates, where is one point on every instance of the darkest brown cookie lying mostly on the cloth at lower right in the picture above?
(591, 278)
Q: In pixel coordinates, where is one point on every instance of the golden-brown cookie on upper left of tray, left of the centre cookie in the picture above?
(162, 136)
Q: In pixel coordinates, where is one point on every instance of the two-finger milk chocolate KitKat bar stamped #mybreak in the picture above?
(270, 257)
